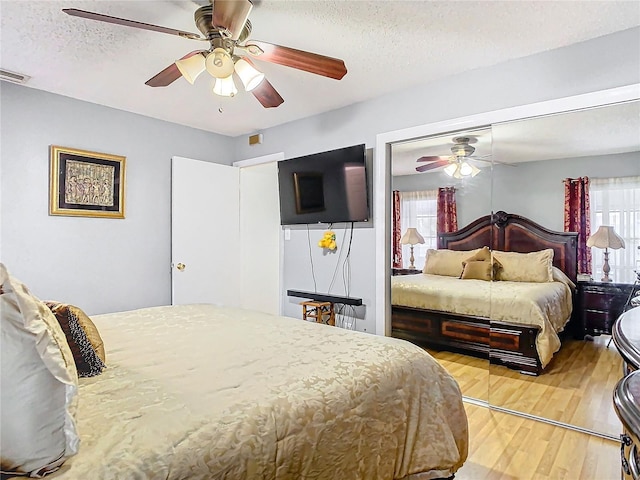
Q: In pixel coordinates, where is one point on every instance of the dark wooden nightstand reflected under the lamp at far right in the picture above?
(600, 304)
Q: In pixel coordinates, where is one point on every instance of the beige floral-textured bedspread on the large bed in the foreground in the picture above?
(204, 392)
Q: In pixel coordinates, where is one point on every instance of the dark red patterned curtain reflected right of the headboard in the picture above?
(577, 217)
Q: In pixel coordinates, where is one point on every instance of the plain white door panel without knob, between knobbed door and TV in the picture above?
(260, 238)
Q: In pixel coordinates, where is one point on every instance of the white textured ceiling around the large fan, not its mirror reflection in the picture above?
(386, 45)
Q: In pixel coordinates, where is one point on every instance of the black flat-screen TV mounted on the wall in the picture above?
(327, 187)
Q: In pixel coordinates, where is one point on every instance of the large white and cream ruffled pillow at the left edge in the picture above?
(39, 385)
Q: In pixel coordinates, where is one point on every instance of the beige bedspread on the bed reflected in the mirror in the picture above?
(545, 305)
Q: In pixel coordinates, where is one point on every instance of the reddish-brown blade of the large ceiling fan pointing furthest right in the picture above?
(290, 57)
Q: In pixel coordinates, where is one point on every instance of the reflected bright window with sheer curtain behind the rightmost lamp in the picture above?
(616, 202)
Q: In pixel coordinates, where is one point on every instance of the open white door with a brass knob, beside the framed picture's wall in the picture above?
(205, 233)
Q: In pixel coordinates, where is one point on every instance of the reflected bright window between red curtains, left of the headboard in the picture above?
(419, 210)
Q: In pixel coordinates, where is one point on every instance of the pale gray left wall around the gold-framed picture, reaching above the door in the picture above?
(102, 265)
